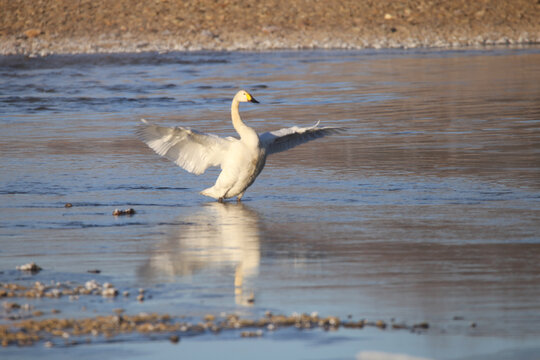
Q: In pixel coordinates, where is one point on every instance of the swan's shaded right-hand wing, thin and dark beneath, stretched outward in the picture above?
(284, 139)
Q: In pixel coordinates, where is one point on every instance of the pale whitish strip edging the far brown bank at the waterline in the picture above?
(131, 44)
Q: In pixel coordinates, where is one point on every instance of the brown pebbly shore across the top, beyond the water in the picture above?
(41, 27)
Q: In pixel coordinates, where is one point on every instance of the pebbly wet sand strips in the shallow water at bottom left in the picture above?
(29, 325)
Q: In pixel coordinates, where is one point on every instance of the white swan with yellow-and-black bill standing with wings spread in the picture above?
(241, 160)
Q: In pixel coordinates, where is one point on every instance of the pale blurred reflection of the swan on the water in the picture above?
(220, 236)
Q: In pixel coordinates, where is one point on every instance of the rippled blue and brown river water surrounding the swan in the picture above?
(427, 209)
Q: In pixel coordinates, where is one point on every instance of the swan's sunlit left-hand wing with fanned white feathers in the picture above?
(192, 150)
